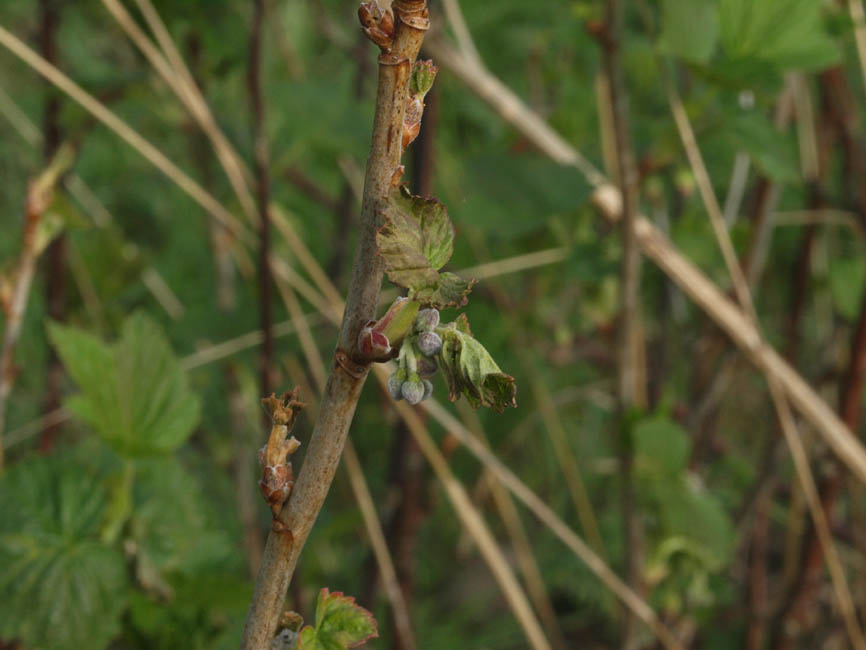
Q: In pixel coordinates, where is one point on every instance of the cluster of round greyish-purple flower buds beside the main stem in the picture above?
(417, 360)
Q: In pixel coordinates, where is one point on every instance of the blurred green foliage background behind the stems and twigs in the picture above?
(128, 525)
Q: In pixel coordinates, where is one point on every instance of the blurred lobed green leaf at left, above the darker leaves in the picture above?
(133, 392)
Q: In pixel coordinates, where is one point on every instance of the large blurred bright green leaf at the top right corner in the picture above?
(788, 33)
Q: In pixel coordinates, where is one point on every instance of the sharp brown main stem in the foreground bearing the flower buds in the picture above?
(347, 375)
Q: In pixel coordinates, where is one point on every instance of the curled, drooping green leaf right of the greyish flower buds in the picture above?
(471, 371)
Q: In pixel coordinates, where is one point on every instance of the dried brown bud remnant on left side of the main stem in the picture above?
(277, 477)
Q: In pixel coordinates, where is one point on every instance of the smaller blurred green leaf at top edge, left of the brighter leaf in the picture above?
(690, 29)
